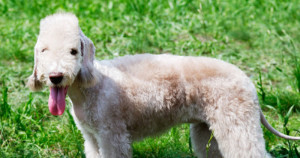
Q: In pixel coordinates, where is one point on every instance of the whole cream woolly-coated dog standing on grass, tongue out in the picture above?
(116, 102)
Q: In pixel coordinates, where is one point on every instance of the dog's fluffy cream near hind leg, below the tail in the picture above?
(236, 126)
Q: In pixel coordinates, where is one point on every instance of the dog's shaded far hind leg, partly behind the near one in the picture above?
(200, 135)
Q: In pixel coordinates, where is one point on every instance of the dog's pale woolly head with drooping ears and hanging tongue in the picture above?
(63, 56)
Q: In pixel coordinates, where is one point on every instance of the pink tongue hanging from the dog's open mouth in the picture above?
(57, 101)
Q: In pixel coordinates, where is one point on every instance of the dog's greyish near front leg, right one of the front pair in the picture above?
(114, 143)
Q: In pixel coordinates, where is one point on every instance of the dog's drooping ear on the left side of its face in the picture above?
(33, 83)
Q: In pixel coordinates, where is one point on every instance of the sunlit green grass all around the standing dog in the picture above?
(259, 36)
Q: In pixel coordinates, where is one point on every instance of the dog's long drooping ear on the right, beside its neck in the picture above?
(88, 75)
